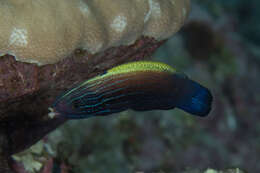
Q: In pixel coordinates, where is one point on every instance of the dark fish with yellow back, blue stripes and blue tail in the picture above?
(140, 86)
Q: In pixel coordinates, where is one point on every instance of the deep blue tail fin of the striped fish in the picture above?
(196, 99)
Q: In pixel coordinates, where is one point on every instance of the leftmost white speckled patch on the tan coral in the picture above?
(18, 37)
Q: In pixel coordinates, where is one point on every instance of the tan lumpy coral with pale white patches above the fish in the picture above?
(47, 31)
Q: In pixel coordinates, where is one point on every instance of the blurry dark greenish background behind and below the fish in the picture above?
(218, 47)
